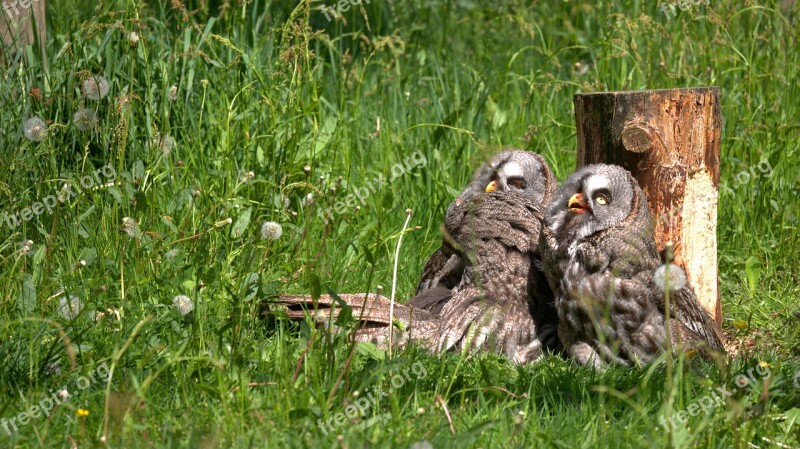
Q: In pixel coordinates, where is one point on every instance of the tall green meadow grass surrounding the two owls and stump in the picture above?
(273, 87)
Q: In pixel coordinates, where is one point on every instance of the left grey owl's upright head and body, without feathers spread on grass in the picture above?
(489, 261)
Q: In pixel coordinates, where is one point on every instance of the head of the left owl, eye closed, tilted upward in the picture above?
(518, 171)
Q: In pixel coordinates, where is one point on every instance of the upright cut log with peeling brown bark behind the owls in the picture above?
(669, 141)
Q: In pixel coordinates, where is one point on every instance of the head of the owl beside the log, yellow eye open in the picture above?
(596, 198)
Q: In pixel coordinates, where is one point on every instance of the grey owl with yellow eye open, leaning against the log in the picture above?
(599, 256)
